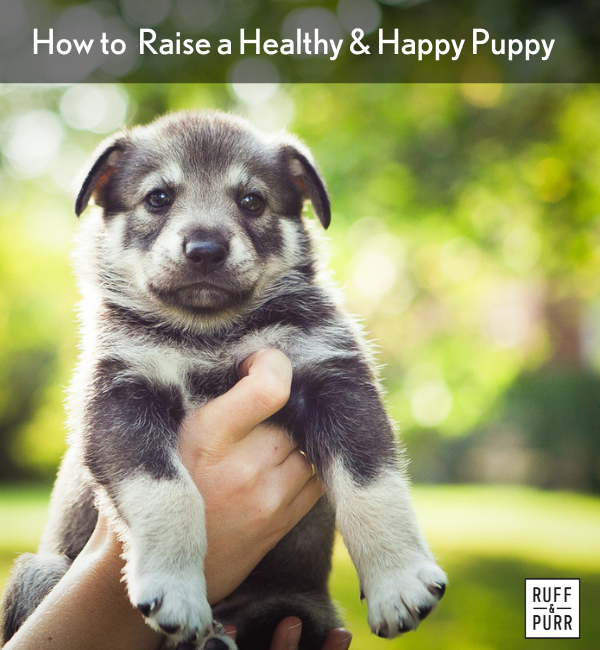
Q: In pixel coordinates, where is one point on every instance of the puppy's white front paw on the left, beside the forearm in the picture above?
(178, 608)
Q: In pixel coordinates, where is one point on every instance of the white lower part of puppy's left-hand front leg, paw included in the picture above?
(165, 549)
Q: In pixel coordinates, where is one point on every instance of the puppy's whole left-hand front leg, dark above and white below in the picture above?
(130, 448)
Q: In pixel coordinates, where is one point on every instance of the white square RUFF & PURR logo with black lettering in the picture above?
(552, 609)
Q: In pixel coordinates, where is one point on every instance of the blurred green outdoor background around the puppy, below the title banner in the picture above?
(466, 237)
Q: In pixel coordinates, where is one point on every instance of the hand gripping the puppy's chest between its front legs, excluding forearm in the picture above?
(255, 483)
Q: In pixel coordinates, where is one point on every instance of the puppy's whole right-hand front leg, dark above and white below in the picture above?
(338, 418)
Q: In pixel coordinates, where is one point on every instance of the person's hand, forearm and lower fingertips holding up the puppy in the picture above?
(256, 487)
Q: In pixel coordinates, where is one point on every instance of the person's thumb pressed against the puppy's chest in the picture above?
(263, 389)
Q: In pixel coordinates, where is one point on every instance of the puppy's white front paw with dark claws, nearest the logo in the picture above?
(400, 599)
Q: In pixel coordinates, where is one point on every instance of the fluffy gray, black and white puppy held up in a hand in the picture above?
(198, 257)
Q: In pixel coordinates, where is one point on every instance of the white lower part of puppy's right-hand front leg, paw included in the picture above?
(398, 576)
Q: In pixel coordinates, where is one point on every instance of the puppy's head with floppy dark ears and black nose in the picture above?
(200, 212)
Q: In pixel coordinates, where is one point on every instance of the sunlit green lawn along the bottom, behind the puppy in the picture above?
(488, 539)
